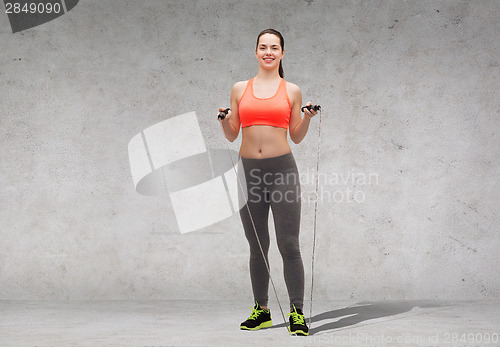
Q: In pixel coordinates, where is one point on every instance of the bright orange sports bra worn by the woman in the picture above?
(274, 111)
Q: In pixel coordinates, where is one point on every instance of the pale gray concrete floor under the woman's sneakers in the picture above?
(189, 323)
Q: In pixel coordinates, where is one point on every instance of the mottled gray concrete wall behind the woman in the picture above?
(409, 145)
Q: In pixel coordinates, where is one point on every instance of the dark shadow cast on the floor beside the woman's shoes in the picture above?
(361, 312)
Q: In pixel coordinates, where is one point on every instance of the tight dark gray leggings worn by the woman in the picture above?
(273, 182)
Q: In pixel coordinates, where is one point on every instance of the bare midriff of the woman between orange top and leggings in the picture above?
(263, 141)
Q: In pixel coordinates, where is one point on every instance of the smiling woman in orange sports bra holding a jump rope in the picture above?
(264, 107)
